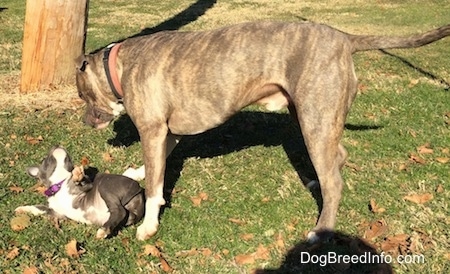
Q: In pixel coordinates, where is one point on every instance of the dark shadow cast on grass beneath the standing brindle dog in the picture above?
(244, 130)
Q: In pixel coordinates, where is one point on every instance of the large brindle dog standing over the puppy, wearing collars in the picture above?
(181, 83)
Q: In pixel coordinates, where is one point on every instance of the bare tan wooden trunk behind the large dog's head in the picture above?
(54, 36)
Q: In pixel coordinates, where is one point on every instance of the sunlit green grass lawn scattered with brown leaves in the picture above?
(245, 167)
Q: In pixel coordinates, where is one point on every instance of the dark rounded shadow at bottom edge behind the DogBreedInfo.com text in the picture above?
(323, 258)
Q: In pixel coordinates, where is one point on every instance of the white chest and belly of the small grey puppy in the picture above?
(94, 212)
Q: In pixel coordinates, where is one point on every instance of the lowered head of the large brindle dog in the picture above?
(93, 88)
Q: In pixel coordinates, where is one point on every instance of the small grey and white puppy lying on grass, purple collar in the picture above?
(109, 201)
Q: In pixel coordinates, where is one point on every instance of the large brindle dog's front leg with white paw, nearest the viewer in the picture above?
(153, 139)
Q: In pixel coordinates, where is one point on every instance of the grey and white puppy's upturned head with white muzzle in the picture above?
(55, 167)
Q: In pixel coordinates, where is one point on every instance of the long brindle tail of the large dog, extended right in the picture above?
(369, 42)
